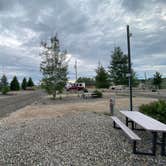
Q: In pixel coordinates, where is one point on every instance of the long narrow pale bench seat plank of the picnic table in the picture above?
(129, 132)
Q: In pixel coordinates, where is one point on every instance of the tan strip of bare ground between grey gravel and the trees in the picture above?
(76, 105)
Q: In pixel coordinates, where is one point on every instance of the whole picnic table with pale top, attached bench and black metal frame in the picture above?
(148, 124)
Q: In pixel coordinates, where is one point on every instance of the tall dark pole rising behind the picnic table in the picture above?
(129, 67)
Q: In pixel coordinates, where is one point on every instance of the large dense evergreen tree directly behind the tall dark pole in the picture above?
(118, 68)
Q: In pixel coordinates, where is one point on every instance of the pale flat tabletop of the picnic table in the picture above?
(145, 121)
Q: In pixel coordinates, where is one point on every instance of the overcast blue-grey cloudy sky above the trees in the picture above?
(87, 29)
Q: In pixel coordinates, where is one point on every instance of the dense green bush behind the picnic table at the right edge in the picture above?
(156, 110)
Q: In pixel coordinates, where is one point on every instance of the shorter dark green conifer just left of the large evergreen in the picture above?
(102, 78)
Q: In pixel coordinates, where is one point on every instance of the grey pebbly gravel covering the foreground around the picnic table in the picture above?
(74, 139)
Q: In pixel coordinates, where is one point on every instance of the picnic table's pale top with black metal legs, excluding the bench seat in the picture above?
(149, 124)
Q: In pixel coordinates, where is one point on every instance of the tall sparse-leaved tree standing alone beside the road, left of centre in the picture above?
(53, 67)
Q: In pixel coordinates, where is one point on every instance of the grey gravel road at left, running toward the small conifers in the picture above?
(12, 103)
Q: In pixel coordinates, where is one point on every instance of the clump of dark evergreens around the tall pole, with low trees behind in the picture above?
(116, 72)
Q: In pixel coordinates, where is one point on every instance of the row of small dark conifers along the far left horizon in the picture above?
(14, 85)
